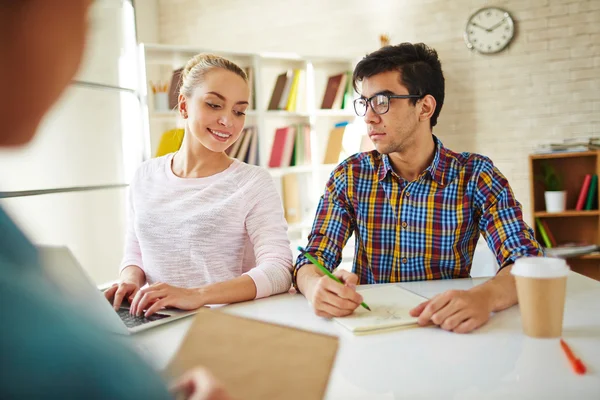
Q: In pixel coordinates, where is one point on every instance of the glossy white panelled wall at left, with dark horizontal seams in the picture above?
(91, 137)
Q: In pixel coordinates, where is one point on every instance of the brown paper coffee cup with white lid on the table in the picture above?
(541, 288)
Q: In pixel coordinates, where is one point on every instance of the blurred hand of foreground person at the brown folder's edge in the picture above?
(199, 384)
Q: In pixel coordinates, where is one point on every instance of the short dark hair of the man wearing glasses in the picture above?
(419, 66)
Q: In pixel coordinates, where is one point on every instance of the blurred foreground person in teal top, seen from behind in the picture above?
(48, 349)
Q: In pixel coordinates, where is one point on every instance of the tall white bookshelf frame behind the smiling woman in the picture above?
(157, 62)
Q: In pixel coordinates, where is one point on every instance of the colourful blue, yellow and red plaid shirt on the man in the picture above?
(423, 229)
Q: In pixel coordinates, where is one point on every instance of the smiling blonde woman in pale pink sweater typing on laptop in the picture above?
(204, 228)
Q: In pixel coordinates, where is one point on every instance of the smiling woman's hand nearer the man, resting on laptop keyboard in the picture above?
(161, 295)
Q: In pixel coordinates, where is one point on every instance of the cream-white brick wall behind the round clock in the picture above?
(546, 86)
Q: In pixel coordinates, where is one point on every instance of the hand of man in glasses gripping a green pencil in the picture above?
(332, 299)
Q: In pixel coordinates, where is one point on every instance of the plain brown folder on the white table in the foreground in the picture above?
(257, 360)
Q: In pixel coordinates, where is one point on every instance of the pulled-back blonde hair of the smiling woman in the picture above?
(199, 65)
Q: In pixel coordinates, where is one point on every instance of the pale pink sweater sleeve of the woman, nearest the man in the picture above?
(267, 229)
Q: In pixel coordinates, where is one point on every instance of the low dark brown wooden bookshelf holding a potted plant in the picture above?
(571, 225)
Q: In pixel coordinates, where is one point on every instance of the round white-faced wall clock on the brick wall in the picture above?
(489, 30)
